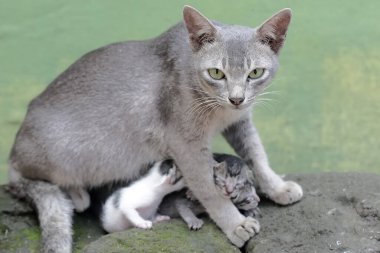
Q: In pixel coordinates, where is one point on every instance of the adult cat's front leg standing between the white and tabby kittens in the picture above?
(195, 162)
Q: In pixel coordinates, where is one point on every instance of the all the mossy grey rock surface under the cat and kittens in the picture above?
(339, 213)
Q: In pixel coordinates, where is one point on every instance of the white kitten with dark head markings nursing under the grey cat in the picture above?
(136, 205)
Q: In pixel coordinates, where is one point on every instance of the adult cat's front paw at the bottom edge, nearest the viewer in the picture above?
(243, 232)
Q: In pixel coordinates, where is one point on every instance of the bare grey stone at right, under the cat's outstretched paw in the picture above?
(339, 213)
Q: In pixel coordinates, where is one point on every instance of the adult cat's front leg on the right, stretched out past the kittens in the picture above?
(243, 137)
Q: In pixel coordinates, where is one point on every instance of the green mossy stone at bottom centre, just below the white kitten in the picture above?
(165, 237)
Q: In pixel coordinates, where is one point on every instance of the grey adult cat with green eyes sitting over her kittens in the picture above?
(130, 103)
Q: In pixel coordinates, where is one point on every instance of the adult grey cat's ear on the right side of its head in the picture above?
(273, 31)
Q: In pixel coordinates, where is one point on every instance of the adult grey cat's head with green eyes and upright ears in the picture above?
(235, 63)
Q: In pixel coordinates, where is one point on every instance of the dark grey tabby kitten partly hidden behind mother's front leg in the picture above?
(231, 180)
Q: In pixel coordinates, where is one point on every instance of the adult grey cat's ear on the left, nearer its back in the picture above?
(200, 29)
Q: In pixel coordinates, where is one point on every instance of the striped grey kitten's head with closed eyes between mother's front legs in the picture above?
(229, 180)
